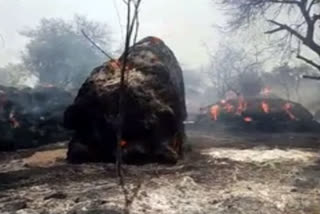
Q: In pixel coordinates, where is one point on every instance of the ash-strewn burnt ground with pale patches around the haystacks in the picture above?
(224, 173)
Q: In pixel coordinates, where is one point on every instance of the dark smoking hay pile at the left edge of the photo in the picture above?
(31, 117)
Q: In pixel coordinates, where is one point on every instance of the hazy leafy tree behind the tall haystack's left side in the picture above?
(60, 55)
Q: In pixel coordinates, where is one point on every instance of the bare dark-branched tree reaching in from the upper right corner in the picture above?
(295, 19)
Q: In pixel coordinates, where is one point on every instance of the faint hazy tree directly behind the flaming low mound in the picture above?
(233, 70)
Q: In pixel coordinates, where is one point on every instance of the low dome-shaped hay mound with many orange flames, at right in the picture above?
(259, 114)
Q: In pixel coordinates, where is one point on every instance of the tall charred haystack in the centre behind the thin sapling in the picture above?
(154, 108)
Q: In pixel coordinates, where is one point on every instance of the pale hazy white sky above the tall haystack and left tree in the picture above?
(185, 25)
